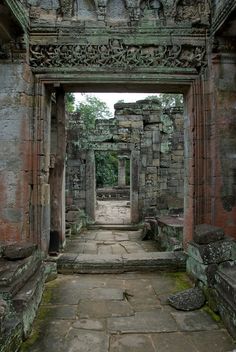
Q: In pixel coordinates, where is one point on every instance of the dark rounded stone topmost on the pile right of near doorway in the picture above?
(205, 234)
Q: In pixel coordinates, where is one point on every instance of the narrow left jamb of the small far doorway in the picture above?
(90, 175)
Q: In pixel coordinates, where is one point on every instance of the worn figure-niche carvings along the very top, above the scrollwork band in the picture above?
(195, 11)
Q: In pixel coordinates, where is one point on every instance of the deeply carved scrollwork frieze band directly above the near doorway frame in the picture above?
(116, 54)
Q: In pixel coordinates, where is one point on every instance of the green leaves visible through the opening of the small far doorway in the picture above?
(106, 169)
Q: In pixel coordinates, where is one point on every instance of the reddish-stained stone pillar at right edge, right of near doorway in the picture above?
(223, 142)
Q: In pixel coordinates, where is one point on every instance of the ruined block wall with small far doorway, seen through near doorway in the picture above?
(151, 138)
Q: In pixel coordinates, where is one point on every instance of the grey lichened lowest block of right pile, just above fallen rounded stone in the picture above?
(202, 272)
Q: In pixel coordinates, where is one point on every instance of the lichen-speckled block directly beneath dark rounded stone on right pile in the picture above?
(214, 252)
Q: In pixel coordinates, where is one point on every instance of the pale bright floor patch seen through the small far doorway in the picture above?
(113, 212)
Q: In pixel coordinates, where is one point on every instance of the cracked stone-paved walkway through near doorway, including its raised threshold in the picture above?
(123, 308)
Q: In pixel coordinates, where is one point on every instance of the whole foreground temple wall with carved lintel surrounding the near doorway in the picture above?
(50, 47)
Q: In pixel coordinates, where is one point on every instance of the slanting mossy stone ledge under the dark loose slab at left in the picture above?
(14, 274)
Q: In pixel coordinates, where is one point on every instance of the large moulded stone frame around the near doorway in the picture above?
(191, 86)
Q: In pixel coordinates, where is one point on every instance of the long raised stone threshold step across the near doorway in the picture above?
(100, 264)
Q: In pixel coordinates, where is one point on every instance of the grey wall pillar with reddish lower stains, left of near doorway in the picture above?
(16, 117)
